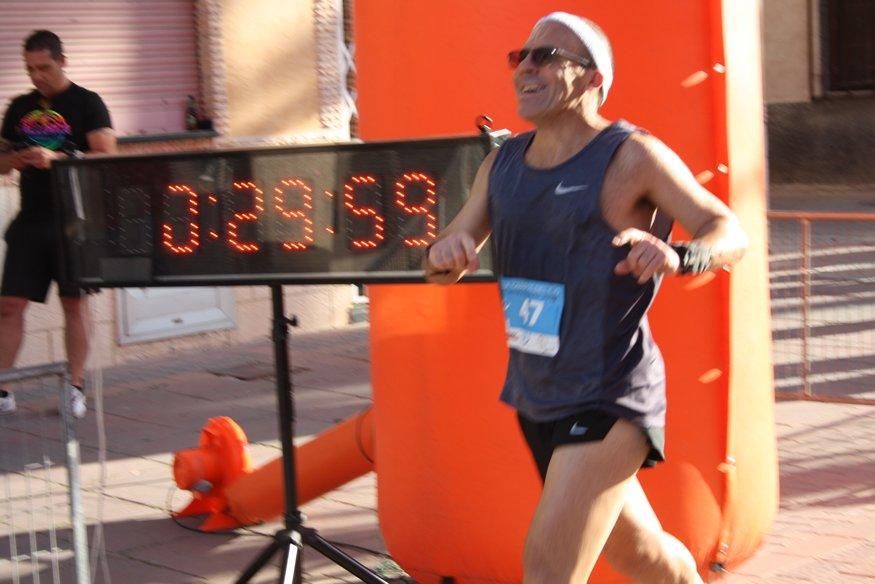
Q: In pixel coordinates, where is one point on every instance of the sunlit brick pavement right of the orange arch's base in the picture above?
(825, 528)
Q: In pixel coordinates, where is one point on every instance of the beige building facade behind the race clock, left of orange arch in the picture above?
(270, 72)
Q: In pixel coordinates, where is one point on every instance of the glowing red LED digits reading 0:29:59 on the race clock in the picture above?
(244, 208)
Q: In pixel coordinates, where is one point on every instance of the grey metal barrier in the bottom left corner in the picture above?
(28, 444)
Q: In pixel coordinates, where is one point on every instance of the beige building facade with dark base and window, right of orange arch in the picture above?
(819, 86)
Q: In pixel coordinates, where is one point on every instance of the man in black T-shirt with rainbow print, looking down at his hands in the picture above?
(55, 120)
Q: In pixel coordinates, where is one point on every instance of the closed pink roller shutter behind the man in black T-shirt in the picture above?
(140, 56)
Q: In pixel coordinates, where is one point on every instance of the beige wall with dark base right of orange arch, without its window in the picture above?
(814, 137)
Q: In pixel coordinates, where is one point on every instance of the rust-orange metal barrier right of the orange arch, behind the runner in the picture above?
(822, 284)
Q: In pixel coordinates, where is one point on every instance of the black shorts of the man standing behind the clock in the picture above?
(32, 262)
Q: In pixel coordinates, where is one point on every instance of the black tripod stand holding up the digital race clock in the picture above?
(291, 540)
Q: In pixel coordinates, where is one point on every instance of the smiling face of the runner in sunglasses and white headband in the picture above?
(555, 86)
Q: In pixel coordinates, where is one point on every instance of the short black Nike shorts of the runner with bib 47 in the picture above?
(587, 426)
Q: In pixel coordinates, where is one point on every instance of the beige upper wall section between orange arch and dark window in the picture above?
(787, 46)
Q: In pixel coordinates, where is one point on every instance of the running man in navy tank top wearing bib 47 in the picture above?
(580, 251)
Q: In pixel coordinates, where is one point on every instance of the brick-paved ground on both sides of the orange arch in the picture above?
(823, 532)
